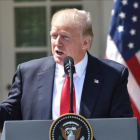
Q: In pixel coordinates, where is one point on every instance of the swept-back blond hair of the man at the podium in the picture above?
(75, 18)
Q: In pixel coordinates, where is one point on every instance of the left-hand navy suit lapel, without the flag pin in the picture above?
(45, 88)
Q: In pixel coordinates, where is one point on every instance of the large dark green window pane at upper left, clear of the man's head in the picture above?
(30, 27)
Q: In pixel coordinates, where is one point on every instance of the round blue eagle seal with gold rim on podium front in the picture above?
(71, 127)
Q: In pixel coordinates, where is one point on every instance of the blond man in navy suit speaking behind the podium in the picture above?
(100, 85)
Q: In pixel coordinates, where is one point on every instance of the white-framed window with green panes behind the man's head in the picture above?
(32, 26)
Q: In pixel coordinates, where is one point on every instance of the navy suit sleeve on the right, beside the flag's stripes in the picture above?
(120, 104)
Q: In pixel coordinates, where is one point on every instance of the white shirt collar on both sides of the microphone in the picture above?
(79, 68)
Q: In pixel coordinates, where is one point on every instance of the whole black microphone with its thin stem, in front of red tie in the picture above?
(70, 70)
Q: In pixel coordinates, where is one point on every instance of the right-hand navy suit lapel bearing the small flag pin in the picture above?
(91, 87)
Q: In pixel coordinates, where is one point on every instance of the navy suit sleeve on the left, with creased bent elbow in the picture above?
(10, 109)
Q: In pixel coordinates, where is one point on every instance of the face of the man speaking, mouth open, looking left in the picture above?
(67, 41)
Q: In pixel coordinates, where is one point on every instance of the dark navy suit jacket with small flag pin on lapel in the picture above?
(30, 97)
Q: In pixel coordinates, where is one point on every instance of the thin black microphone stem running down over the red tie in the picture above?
(71, 86)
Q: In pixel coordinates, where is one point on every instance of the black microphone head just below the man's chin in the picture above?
(69, 65)
